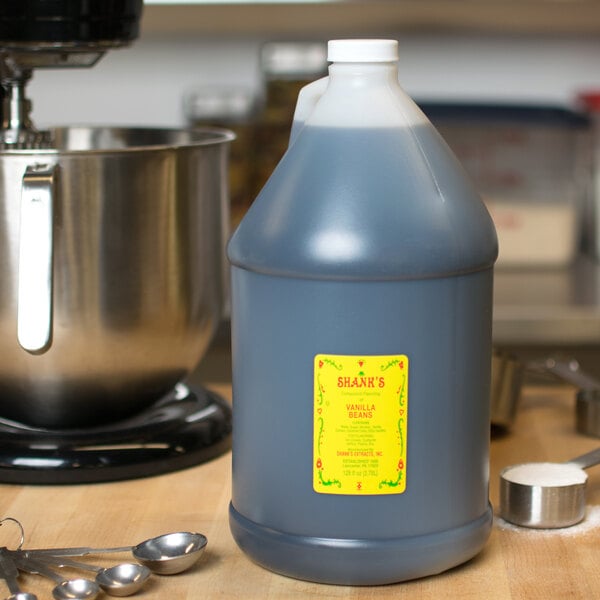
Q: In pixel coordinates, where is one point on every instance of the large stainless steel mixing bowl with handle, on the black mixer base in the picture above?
(112, 265)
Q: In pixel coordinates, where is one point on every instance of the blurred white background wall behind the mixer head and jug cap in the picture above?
(145, 84)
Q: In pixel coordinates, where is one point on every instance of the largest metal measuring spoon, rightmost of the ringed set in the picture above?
(165, 554)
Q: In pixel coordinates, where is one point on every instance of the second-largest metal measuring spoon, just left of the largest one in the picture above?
(120, 580)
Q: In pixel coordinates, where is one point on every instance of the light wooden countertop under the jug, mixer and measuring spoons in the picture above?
(516, 563)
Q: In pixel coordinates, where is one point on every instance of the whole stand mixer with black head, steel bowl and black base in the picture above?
(112, 276)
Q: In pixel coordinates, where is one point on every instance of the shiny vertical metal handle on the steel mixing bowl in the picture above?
(34, 305)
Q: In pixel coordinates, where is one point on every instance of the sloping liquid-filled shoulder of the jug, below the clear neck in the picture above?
(366, 204)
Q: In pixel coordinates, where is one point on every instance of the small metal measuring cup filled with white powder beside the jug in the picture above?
(546, 495)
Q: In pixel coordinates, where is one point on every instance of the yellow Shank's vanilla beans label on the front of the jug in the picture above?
(360, 424)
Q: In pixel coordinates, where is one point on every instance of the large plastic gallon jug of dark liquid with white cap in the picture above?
(361, 338)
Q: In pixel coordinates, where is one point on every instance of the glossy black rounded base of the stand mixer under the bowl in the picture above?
(187, 427)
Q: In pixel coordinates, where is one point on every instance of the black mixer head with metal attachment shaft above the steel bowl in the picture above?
(53, 34)
